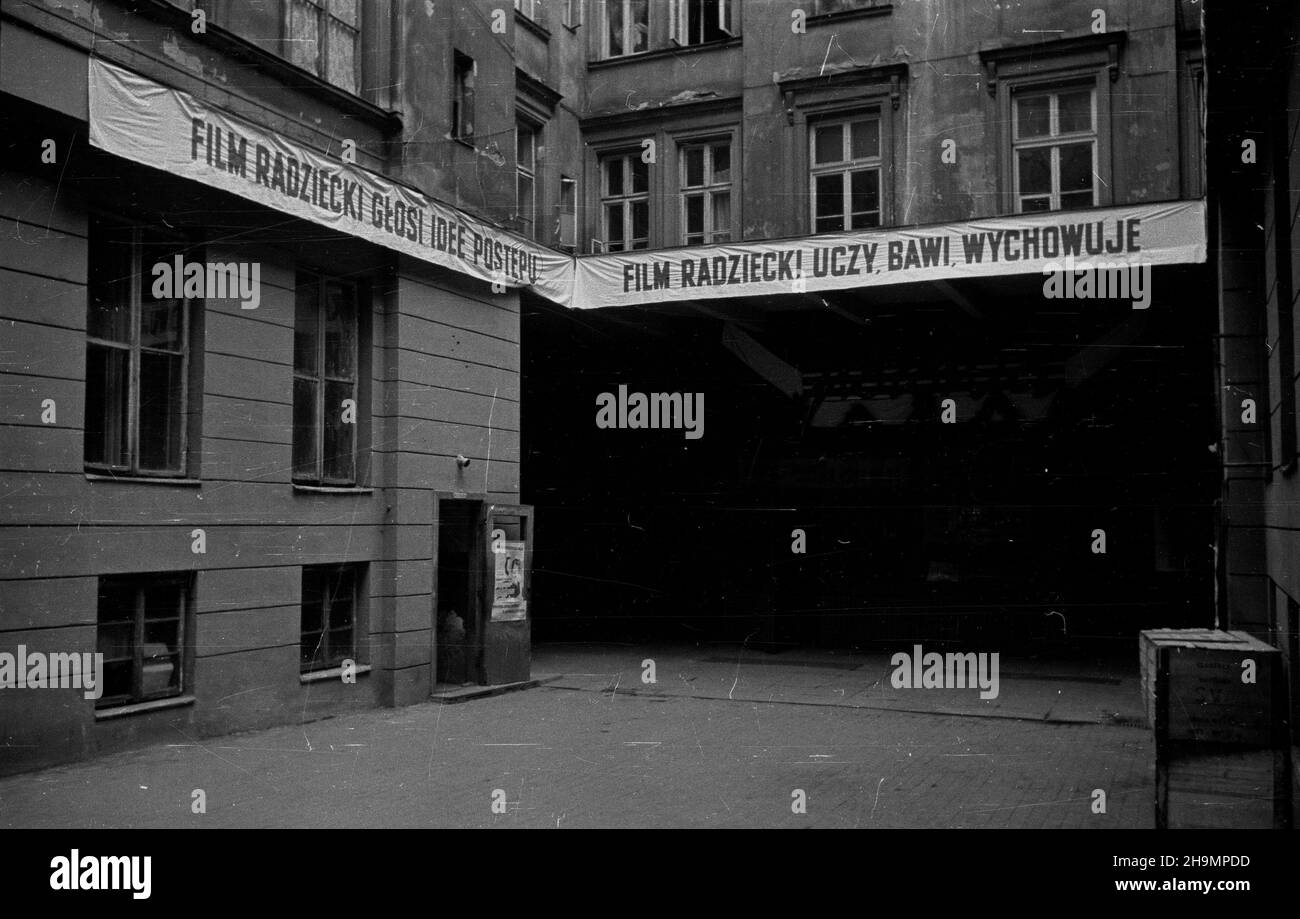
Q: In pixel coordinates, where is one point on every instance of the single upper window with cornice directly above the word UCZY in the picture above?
(846, 175)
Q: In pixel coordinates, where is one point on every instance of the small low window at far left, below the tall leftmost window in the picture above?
(142, 626)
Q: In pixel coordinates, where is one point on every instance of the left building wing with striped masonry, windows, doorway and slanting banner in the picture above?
(250, 495)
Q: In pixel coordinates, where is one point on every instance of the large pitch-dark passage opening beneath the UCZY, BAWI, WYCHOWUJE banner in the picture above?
(826, 415)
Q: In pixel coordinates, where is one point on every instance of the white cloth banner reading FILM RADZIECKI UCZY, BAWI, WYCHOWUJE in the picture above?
(1145, 235)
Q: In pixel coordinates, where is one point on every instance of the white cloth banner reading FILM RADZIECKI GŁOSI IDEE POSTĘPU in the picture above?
(171, 131)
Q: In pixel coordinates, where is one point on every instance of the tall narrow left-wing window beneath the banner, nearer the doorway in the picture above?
(326, 400)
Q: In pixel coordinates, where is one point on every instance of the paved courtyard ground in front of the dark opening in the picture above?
(577, 755)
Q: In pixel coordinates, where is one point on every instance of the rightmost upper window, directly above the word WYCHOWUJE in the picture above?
(1055, 149)
